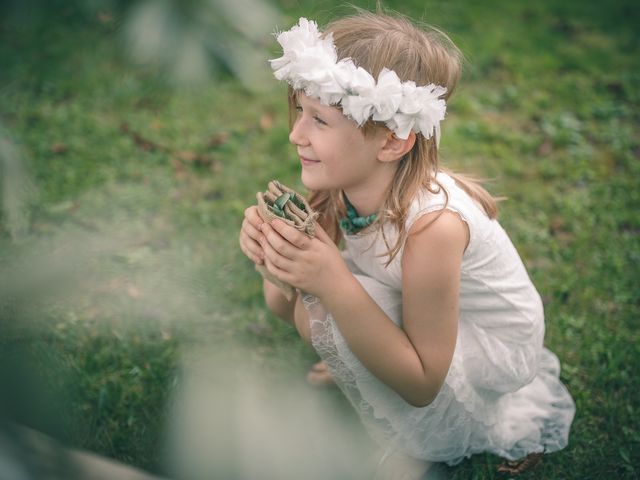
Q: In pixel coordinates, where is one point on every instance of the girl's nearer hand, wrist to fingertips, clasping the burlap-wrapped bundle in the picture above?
(314, 265)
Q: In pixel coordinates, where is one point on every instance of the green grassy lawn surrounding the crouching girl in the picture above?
(123, 195)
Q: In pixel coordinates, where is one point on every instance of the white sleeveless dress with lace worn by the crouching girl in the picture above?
(502, 393)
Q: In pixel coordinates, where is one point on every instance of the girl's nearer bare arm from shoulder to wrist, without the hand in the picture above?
(412, 360)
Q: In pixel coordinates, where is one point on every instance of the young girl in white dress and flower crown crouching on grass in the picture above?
(427, 318)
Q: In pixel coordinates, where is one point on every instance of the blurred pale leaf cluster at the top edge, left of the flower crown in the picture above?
(190, 39)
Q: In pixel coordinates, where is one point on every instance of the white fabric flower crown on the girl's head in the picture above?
(310, 63)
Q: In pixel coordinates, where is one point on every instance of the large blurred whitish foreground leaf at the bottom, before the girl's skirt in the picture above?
(228, 421)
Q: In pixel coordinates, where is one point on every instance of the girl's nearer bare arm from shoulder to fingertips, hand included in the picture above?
(413, 360)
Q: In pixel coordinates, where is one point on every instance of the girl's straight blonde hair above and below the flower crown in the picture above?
(375, 41)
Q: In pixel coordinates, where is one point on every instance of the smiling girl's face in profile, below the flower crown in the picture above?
(333, 151)
